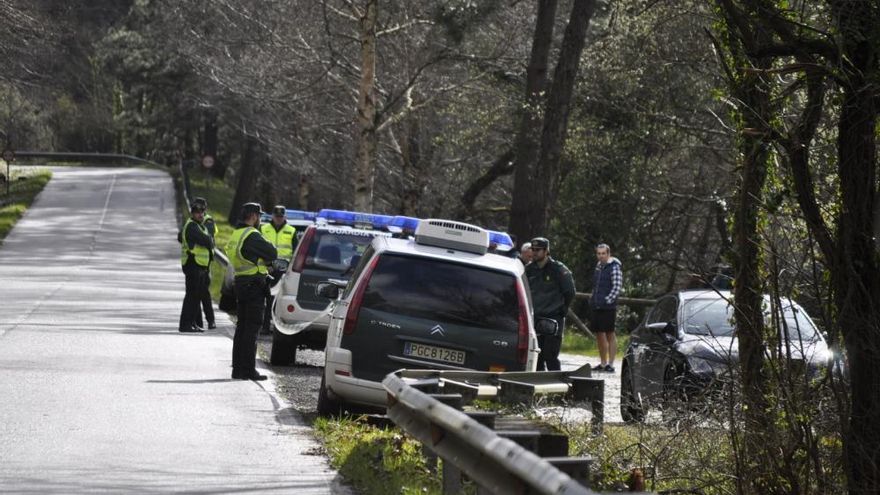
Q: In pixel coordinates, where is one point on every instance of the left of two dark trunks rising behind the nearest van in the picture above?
(526, 145)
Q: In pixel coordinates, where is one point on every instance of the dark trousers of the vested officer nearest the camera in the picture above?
(251, 293)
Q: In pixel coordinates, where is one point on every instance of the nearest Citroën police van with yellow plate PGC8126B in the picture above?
(439, 300)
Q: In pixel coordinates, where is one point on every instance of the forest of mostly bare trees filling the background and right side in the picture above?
(686, 134)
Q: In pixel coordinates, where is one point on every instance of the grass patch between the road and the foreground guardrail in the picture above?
(376, 461)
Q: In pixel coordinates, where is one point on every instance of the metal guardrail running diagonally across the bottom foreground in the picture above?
(496, 463)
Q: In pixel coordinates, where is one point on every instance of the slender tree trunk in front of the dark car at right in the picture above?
(753, 90)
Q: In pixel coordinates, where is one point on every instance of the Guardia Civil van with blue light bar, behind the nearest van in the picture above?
(328, 250)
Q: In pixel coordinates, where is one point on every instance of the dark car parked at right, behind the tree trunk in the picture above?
(687, 346)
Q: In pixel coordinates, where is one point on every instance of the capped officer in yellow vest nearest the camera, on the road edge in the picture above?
(249, 253)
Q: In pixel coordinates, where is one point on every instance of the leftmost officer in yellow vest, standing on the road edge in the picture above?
(196, 247)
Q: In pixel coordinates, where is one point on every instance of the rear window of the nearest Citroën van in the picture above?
(443, 291)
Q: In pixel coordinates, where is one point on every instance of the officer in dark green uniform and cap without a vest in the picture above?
(553, 290)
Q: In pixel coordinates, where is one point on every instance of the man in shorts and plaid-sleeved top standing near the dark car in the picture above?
(607, 283)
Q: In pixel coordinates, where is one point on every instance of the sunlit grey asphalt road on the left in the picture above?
(100, 393)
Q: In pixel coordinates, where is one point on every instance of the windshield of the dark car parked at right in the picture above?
(715, 317)
